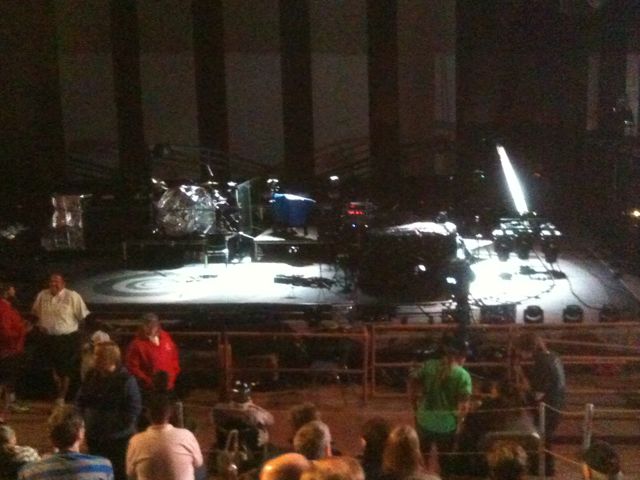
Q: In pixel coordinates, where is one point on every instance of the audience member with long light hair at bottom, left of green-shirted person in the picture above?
(402, 457)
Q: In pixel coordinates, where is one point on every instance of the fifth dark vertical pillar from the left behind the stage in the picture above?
(382, 32)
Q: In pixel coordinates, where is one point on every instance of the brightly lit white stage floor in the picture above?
(584, 280)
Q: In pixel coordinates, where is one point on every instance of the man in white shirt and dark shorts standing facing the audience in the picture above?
(60, 311)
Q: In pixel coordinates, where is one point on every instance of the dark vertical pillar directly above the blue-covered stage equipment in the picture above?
(297, 97)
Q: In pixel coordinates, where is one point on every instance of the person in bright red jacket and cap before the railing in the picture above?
(153, 351)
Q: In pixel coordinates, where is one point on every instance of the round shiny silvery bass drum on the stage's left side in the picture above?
(186, 210)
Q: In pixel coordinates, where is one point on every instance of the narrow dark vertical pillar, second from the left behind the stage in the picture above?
(125, 42)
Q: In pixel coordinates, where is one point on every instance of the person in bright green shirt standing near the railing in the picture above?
(440, 390)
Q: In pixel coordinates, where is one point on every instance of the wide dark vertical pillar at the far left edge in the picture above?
(32, 151)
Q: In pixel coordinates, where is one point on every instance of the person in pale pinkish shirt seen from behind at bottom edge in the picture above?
(162, 451)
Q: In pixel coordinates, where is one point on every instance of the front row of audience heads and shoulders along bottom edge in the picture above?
(164, 451)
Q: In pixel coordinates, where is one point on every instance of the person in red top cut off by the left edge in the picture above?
(13, 331)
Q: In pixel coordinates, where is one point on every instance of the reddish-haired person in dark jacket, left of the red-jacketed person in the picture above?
(109, 400)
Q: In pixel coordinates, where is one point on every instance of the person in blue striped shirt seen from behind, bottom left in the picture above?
(67, 434)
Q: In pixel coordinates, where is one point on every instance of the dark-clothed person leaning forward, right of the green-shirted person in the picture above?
(546, 383)
